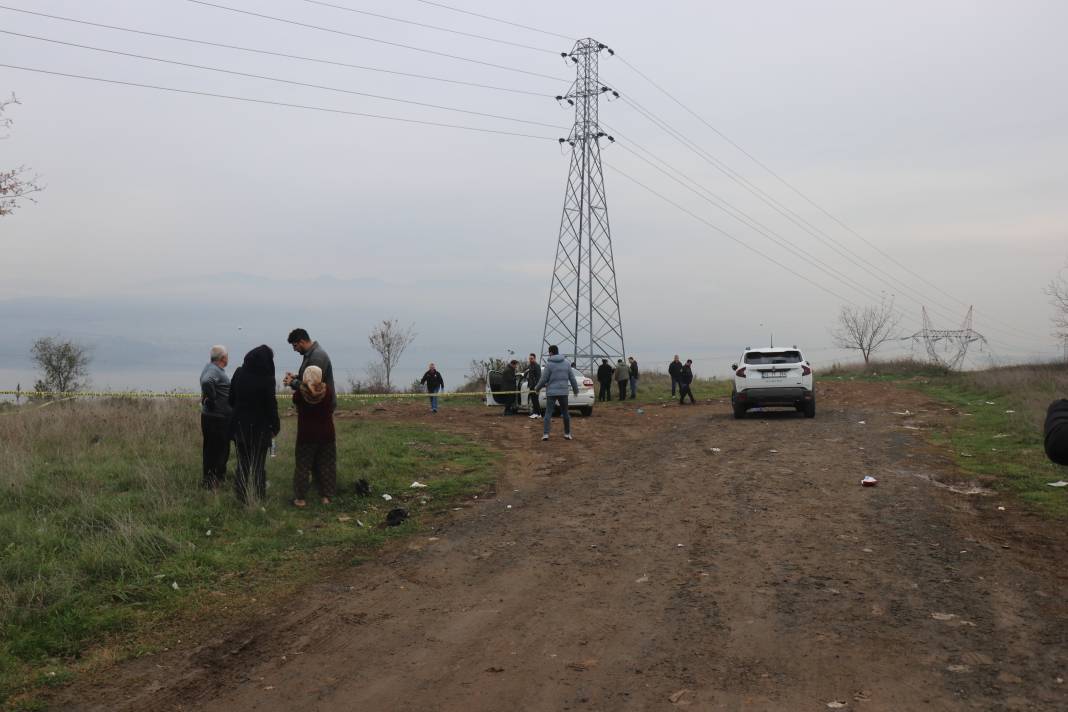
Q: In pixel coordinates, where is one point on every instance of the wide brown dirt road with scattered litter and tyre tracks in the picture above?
(636, 568)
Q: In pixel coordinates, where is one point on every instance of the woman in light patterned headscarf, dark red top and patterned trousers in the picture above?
(317, 453)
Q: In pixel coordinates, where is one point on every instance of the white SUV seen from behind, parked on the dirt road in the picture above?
(774, 377)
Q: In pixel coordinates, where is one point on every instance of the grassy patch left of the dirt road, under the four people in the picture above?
(105, 535)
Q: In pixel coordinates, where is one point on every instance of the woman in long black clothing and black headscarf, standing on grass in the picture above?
(255, 420)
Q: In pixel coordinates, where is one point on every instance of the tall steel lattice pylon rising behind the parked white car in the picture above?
(584, 313)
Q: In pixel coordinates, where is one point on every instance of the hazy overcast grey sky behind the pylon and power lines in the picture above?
(938, 132)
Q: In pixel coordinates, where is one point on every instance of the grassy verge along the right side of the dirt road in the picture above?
(1000, 439)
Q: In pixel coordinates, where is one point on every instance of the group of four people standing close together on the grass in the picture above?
(243, 410)
